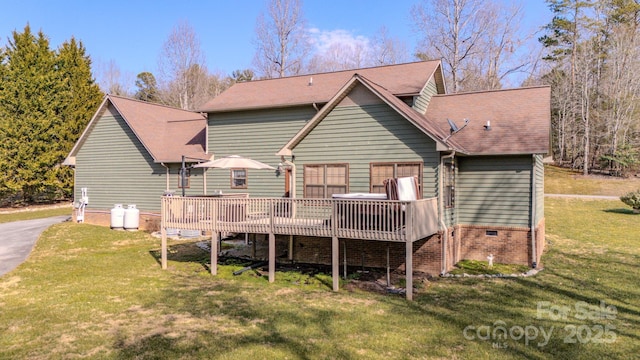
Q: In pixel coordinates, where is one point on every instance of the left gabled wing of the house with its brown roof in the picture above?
(131, 153)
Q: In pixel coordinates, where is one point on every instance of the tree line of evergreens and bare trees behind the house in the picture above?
(589, 54)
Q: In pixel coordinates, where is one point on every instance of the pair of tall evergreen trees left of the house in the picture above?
(46, 100)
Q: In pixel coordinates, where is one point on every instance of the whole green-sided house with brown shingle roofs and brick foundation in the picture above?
(477, 155)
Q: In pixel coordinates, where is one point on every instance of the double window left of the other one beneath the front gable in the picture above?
(324, 180)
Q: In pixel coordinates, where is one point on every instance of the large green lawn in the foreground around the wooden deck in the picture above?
(89, 292)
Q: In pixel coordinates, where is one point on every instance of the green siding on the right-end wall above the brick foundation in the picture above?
(494, 191)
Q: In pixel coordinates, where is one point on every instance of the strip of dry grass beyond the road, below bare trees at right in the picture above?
(565, 181)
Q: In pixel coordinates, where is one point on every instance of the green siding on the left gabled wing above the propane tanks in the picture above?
(116, 168)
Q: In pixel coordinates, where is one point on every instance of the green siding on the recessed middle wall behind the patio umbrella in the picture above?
(257, 135)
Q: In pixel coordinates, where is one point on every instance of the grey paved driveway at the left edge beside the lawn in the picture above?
(17, 239)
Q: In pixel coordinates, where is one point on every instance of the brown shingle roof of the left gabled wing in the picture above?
(166, 133)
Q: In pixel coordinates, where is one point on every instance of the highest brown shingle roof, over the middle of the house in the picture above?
(401, 79)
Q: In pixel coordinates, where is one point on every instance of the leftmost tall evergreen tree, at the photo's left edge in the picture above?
(28, 114)
